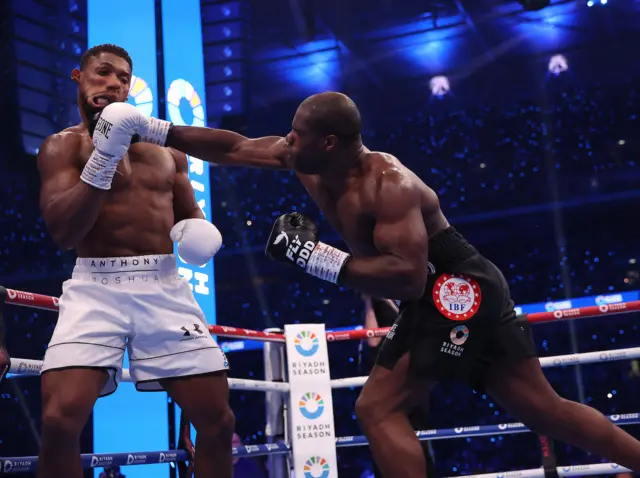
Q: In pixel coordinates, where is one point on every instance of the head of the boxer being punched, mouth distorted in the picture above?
(104, 77)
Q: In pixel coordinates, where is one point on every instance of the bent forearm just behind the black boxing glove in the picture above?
(384, 276)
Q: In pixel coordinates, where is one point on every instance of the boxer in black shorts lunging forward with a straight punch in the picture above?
(457, 323)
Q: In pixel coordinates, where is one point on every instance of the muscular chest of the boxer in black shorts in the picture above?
(348, 214)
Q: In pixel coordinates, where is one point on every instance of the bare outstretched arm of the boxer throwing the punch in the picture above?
(228, 148)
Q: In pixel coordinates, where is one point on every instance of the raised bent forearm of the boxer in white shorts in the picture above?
(71, 215)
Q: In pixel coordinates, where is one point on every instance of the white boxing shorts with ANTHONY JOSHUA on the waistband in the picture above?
(138, 303)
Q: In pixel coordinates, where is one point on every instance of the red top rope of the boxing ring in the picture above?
(46, 302)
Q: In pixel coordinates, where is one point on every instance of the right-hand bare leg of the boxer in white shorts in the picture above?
(204, 400)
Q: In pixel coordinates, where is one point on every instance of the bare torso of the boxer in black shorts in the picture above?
(351, 209)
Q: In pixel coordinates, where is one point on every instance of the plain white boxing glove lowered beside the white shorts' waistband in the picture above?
(198, 240)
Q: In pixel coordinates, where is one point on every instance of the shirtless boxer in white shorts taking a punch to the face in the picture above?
(122, 206)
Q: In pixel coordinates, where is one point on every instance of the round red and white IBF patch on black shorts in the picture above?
(457, 296)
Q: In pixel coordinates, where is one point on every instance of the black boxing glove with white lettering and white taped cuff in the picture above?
(294, 240)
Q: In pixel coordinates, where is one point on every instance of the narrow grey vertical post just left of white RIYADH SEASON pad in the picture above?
(276, 404)
